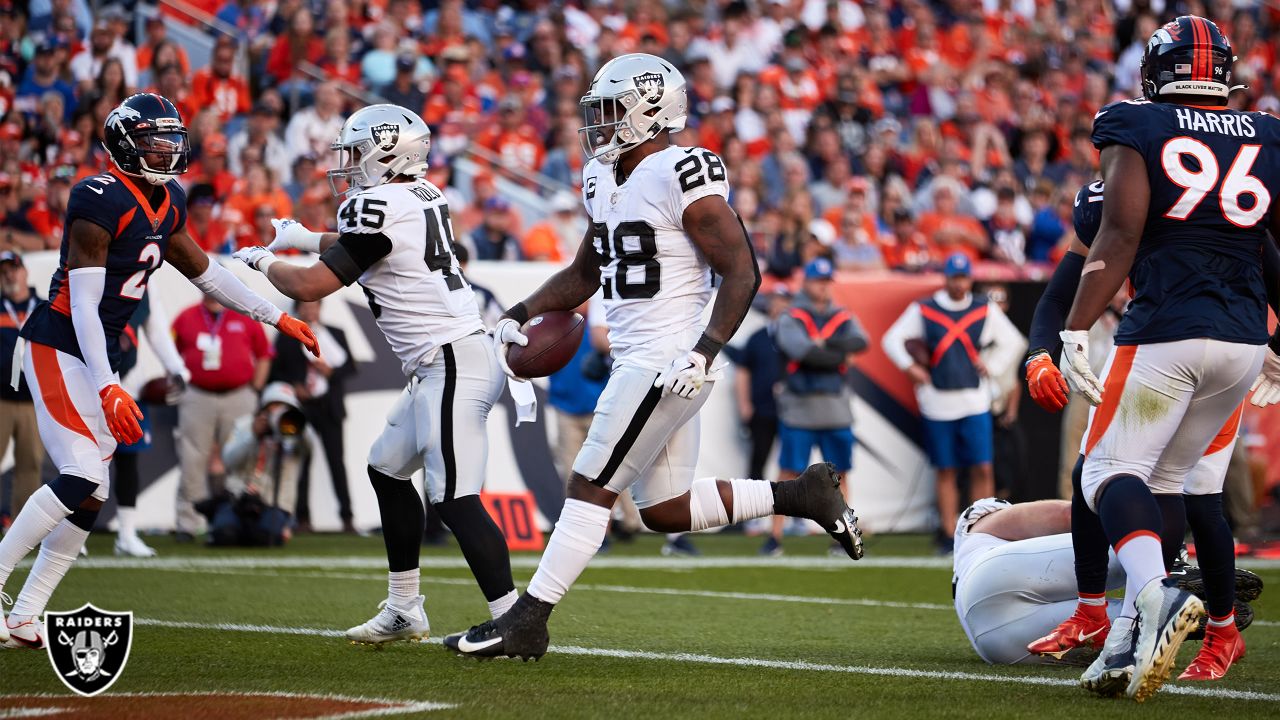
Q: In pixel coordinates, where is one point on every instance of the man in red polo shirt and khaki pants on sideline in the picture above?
(228, 359)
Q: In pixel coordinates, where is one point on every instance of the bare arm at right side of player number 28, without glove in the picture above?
(720, 235)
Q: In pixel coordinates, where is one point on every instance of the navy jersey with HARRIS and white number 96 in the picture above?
(1199, 271)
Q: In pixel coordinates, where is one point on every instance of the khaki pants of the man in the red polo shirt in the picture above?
(205, 422)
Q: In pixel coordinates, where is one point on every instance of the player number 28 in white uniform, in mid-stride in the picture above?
(661, 227)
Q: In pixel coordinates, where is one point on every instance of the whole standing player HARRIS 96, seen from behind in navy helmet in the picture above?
(1188, 236)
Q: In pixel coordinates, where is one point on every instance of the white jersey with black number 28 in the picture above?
(655, 281)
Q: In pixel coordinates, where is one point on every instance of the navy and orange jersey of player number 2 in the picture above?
(140, 238)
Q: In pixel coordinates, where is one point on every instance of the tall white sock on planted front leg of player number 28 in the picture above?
(574, 544)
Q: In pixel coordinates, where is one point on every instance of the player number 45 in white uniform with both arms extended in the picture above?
(396, 240)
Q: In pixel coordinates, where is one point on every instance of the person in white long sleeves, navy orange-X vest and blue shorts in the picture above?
(936, 343)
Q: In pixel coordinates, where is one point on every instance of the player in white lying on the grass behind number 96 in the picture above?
(1014, 582)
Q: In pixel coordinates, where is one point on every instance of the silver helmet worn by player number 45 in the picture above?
(377, 144)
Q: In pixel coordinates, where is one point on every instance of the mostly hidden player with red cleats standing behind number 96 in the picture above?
(1201, 505)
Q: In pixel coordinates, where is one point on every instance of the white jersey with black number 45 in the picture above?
(396, 240)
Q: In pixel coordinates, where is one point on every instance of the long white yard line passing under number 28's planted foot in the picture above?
(752, 663)
